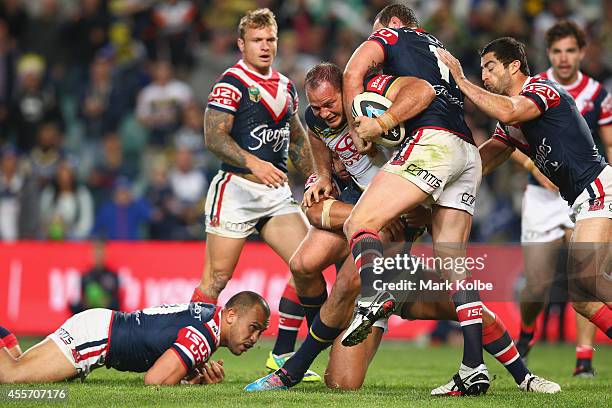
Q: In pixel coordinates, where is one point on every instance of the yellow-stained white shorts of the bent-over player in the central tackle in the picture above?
(442, 165)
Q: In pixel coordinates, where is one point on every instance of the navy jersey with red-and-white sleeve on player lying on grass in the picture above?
(138, 339)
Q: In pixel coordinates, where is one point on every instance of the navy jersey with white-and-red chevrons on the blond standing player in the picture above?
(262, 107)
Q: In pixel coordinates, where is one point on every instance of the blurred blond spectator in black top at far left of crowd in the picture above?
(34, 102)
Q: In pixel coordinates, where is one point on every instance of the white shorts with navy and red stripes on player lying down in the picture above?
(84, 339)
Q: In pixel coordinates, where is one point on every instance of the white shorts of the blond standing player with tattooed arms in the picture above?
(234, 205)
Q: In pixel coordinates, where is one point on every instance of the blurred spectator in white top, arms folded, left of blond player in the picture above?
(161, 103)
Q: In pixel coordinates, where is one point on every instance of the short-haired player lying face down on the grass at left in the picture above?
(171, 343)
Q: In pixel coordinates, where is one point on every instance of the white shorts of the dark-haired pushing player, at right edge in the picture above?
(596, 200)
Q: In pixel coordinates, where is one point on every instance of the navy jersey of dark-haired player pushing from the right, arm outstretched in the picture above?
(558, 141)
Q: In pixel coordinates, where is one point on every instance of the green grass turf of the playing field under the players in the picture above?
(402, 374)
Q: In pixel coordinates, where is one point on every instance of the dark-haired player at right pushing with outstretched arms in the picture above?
(539, 117)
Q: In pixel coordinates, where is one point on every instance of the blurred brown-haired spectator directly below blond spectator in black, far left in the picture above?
(47, 154)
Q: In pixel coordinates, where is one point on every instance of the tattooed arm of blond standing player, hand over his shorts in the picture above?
(217, 127)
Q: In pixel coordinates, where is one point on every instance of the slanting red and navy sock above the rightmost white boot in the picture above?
(498, 343)
